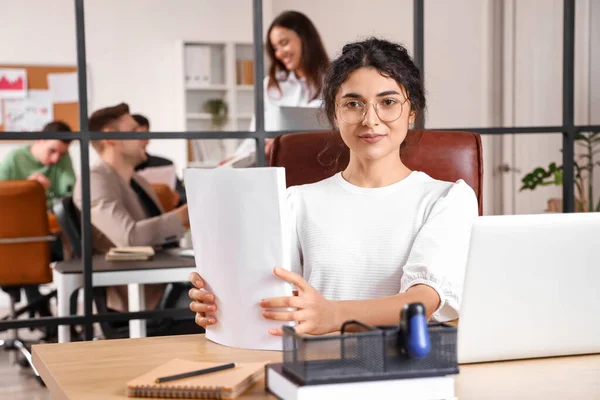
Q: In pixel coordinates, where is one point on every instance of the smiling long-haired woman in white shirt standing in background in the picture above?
(298, 63)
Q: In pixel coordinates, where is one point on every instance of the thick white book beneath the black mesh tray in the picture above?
(434, 388)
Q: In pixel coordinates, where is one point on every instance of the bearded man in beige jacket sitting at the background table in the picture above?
(125, 210)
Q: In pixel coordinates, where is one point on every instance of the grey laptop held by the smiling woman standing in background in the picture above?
(296, 119)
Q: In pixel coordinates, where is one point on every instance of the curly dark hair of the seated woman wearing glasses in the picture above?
(390, 59)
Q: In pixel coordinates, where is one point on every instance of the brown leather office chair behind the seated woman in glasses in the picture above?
(444, 155)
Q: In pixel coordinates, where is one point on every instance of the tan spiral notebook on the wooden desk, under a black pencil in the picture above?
(227, 384)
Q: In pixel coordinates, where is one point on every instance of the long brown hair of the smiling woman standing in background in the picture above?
(314, 57)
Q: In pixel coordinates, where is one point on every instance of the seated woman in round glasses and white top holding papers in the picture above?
(376, 236)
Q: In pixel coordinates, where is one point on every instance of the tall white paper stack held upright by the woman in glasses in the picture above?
(239, 223)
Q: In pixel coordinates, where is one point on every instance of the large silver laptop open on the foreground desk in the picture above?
(532, 288)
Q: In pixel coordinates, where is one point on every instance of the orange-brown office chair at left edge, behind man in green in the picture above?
(24, 247)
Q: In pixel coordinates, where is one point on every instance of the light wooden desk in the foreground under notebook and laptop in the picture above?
(100, 370)
